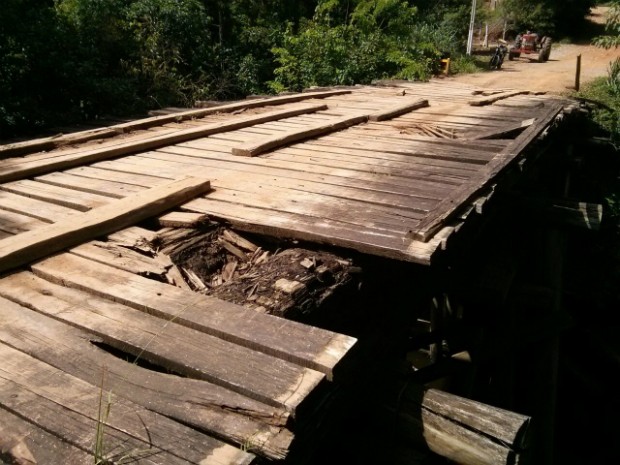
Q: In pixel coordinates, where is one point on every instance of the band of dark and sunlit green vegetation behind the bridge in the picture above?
(63, 61)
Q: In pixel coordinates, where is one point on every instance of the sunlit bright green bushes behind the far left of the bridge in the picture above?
(375, 39)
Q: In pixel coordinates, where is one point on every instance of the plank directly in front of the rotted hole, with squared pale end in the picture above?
(311, 347)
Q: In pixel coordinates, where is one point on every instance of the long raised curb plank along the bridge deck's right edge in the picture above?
(469, 190)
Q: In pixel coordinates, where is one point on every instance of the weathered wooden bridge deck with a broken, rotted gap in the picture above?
(92, 348)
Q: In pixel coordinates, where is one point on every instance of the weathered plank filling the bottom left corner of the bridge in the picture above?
(26, 444)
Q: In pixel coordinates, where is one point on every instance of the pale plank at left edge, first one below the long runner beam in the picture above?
(78, 200)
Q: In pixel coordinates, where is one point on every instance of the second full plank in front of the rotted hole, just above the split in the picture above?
(167, 344)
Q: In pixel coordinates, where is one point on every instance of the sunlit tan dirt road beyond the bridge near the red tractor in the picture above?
(557, 75)
